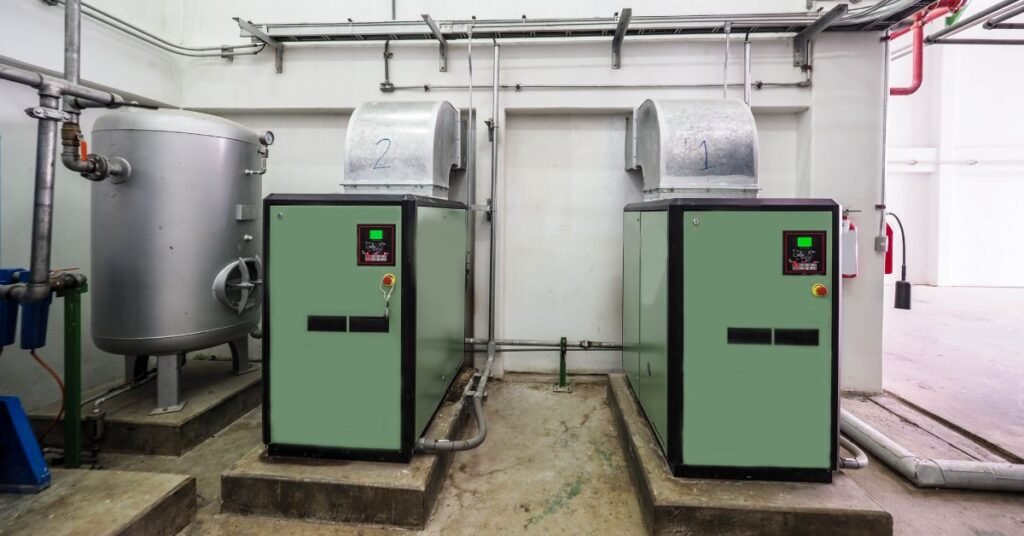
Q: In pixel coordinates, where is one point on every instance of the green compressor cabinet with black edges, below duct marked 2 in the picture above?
(351, 373)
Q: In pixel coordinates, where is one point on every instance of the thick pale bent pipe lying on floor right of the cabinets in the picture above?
(931, 473)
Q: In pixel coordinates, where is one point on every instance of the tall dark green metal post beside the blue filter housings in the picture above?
(73, 378)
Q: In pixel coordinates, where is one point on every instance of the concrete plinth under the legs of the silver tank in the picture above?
(216, 399)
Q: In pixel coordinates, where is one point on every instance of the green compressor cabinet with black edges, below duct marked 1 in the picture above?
(731, 329)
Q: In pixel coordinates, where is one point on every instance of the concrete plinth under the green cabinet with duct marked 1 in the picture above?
(672, 506)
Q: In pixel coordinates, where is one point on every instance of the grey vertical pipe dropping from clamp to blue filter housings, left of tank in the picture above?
(42, 216)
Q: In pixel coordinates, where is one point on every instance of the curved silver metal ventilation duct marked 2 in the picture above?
(403, 148)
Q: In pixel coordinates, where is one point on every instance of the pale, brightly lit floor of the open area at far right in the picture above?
(958, 354)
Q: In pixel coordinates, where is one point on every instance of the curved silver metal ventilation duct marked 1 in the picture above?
(700, 149)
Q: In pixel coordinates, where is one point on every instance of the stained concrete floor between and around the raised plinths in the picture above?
(552, 466)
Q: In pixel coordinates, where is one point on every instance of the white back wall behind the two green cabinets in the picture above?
(822, 142)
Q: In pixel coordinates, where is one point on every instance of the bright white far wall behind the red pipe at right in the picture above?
(961, 220)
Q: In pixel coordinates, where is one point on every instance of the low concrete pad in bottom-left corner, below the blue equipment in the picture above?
(101, 503)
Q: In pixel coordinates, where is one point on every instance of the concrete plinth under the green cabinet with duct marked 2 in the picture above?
(345, 491)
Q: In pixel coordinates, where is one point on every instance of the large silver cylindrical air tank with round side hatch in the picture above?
(176, 248)
